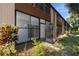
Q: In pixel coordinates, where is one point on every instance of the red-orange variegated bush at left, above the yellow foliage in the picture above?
(8, 33)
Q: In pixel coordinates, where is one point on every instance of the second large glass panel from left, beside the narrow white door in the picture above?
(34, 27)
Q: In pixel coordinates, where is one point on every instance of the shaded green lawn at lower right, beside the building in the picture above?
(70, 45)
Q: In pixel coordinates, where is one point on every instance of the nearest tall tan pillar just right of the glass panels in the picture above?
(54, 22)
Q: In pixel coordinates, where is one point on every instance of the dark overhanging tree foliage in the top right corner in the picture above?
(74, 12)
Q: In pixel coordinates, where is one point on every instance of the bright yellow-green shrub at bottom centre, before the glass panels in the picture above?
(39, 48)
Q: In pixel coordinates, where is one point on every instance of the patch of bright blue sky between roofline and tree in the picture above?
(62, 9)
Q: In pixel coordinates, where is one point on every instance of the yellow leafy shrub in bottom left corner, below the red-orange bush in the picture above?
(8, 49)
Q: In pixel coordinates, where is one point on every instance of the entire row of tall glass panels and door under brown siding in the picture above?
(29, 27)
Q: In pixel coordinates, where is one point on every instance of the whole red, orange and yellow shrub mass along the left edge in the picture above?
(8, 35)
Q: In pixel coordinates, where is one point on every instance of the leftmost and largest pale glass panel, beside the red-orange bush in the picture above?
(22, 22)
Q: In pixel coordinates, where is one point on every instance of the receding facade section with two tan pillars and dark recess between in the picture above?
(58, 24)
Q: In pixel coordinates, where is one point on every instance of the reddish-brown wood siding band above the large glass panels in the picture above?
(28, 8)
